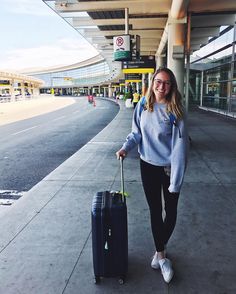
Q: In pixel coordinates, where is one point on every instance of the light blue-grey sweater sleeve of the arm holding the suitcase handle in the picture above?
(134, 137)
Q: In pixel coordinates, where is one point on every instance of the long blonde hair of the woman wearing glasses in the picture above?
(173, 99)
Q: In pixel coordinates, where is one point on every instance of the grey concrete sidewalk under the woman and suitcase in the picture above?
(45, 241)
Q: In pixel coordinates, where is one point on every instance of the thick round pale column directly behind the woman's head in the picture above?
(175, 56)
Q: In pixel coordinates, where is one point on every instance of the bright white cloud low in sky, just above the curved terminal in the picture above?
(64, 52)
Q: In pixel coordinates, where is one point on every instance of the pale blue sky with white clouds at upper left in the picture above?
(34, 36)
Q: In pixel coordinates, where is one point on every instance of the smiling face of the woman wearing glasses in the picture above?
(161, 86)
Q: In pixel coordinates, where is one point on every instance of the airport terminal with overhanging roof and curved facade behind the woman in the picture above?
(195, 40)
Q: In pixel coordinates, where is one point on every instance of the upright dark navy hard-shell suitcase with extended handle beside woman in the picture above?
(109, 234)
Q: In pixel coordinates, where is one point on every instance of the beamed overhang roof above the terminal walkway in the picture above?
(147, 18)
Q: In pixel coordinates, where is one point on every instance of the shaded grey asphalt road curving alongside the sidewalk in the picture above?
(30, 149)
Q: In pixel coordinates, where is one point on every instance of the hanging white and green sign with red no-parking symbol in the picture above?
(121, 45)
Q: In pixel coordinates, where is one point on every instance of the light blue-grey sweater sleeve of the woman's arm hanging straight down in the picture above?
(179, 155)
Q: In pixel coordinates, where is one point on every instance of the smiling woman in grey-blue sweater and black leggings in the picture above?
(159, 129)
